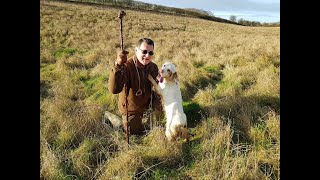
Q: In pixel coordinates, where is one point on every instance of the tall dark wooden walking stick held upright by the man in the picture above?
(121, 14)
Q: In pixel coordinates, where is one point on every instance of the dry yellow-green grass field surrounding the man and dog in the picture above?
(230, 83)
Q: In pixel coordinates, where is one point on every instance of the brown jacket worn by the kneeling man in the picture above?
(136, 104)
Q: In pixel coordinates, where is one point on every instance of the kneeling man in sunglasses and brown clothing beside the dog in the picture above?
(134, 72)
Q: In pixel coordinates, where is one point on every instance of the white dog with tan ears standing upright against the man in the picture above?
(169, 89)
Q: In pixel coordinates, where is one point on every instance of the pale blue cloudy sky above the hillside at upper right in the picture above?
(252, 10)
